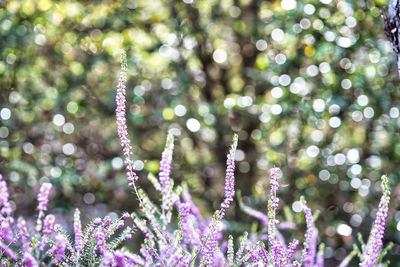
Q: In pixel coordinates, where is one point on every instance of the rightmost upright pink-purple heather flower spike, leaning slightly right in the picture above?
(375, 240)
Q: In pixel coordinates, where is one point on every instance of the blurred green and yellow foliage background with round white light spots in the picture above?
(309, 86)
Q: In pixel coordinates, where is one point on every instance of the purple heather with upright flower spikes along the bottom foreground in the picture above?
(193, 241)
